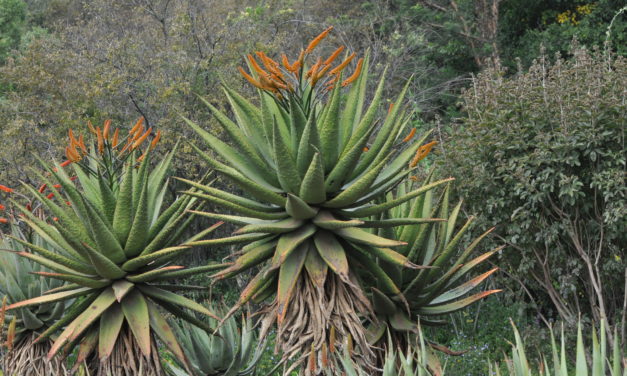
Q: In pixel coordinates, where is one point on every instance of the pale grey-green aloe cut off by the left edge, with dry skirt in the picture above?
(20, 279)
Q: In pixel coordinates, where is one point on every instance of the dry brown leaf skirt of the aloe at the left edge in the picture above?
(28, 359)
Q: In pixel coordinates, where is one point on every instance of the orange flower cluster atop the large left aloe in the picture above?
(108, 138)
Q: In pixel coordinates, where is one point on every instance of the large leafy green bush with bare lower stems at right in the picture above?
(542, 155)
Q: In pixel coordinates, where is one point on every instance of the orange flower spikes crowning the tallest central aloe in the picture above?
(276, 77)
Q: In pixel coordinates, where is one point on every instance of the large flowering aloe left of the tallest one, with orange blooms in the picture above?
(113, 242)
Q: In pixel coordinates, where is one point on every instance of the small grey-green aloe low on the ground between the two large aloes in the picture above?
(232, 352)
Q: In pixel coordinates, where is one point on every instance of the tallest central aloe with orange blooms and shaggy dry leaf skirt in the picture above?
(300, 159)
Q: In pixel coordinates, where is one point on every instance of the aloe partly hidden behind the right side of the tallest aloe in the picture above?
(428, 295)
